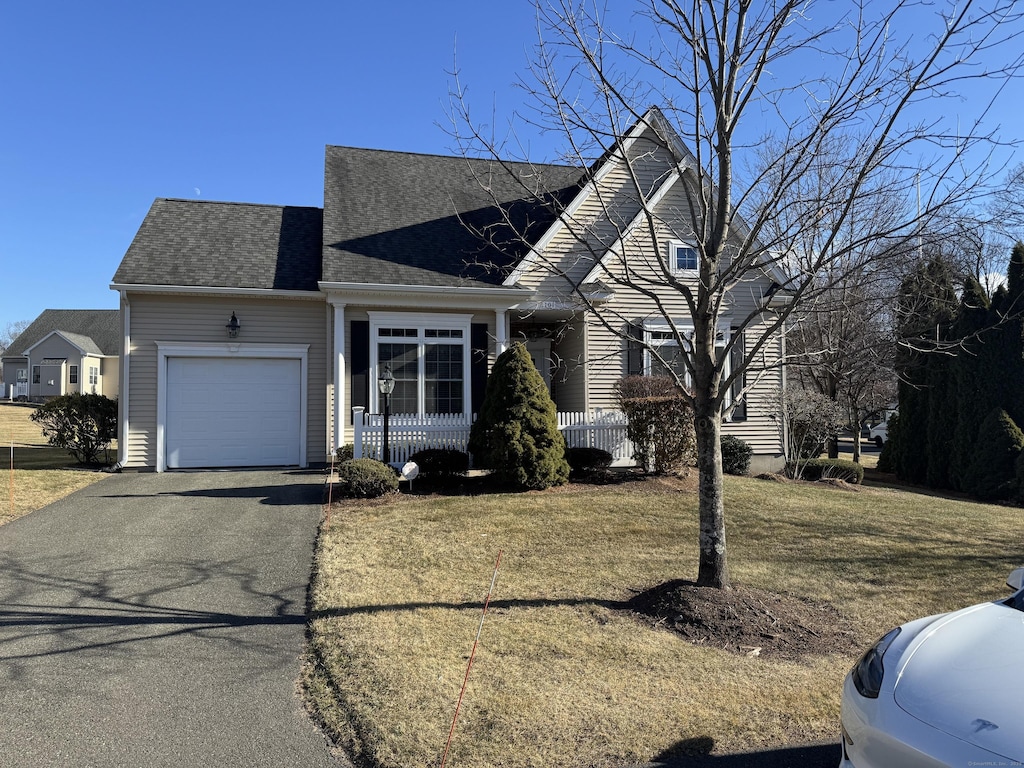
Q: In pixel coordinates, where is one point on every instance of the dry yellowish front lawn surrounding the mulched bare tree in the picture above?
(563, 679)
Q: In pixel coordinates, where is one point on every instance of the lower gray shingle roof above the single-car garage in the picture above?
(226, 245)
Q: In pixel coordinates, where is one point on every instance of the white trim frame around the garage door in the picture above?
(167, 350)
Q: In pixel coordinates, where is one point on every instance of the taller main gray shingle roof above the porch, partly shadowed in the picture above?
(401, 219)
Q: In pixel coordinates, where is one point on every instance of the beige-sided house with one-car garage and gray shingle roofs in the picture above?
(395, 270)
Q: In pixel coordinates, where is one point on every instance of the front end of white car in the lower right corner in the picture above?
(941, 692)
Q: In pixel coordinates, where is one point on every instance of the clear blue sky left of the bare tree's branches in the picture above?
(110, 105)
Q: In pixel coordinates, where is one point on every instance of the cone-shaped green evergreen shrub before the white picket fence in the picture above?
(517, 434)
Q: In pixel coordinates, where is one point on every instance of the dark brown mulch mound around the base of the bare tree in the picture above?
(746, 621)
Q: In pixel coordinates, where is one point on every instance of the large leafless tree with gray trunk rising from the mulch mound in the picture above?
(794, 117)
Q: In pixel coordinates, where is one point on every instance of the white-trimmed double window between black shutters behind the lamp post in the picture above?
(430, 357)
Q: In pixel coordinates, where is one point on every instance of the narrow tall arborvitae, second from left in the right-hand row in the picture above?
(972, 391)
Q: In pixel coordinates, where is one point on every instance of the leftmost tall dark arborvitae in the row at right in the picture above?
(925, 310)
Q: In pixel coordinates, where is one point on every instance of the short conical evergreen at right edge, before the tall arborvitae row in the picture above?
(992, 474)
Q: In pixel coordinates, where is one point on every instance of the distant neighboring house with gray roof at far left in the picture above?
(65, 352)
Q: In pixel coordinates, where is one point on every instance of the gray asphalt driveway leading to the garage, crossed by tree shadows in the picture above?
(159, 621)
